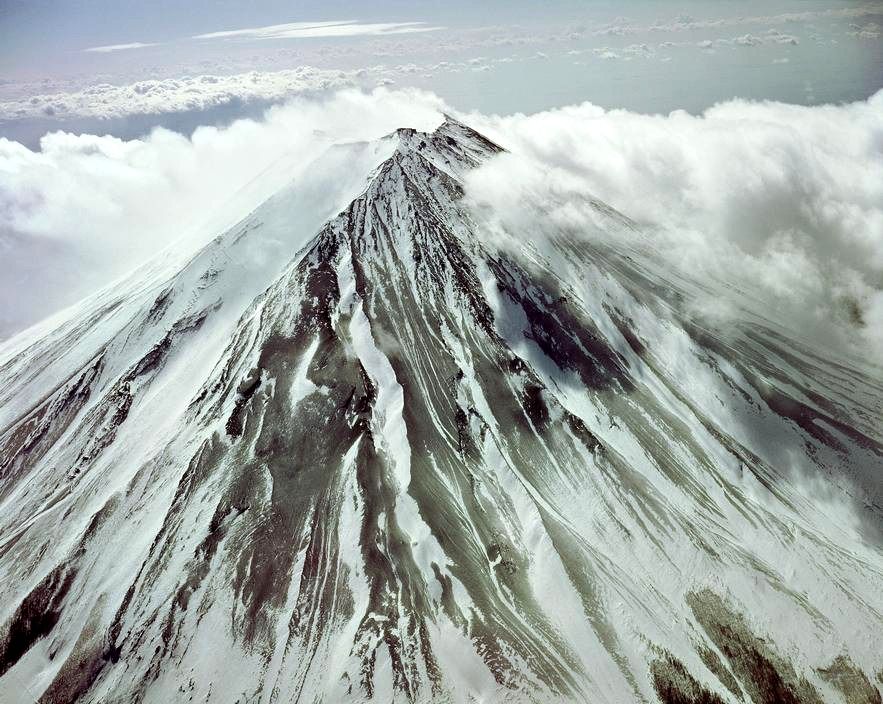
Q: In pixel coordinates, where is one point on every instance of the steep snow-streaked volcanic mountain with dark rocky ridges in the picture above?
(356, 448)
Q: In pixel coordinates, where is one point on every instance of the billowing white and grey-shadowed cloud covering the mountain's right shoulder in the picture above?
(783, 202)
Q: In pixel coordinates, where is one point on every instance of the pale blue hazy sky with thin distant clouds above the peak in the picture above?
(494, 57)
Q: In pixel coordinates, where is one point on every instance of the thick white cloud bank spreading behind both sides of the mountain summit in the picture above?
(780, 201)
